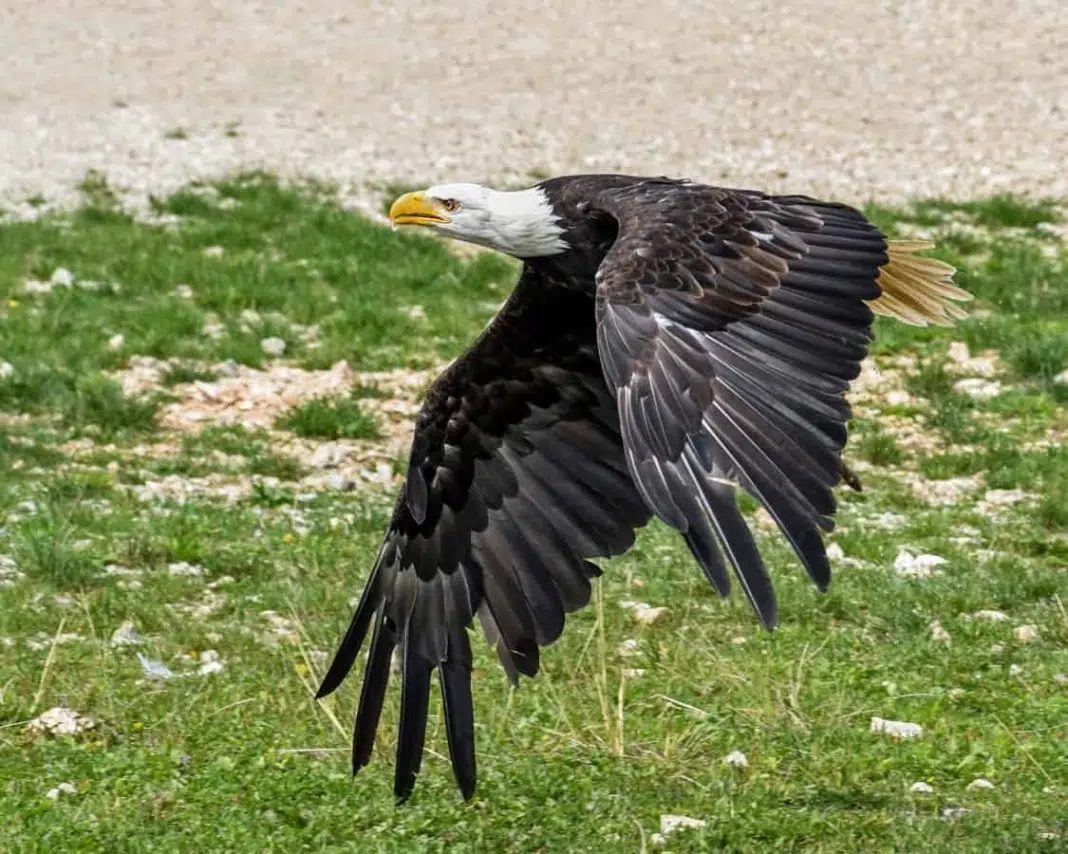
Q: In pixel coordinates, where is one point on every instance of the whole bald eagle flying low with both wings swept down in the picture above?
(667, 344)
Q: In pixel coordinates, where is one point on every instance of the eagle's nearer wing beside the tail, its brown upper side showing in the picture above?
(730, 325)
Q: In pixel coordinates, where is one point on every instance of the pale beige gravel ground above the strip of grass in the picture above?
(856, 101)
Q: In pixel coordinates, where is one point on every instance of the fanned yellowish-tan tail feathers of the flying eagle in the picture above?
(916, 290)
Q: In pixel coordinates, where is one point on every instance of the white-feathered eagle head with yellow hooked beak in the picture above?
(521, 224)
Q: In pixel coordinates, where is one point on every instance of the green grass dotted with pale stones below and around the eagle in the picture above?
(610, 737)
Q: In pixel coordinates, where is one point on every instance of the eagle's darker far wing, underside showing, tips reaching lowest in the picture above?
(517, 477)
